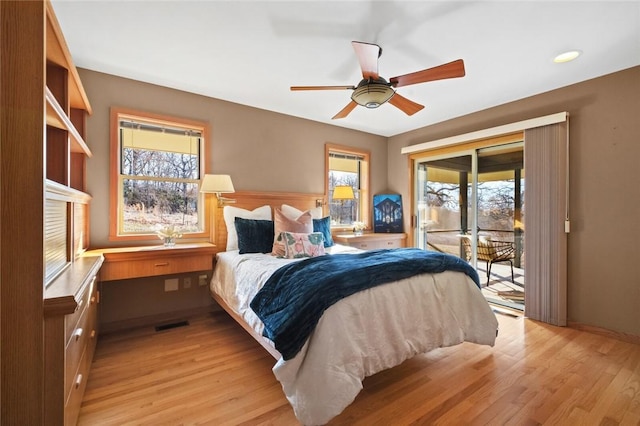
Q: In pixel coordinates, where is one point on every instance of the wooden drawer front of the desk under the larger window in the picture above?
(152, 267)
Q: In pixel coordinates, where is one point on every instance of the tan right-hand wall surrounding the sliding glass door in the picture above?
(603, 275)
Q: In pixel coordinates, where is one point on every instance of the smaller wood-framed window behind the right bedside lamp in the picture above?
(347, 186)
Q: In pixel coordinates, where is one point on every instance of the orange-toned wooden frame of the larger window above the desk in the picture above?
(115, 210)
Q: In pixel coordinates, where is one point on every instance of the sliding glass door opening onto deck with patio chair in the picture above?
(471, 204)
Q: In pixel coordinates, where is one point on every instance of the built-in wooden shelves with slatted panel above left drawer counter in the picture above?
(67, 107)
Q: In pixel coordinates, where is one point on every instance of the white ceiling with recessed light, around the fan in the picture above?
(251, 52)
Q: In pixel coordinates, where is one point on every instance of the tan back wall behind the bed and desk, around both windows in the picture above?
(261, 150)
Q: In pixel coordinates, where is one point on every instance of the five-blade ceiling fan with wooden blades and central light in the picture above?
(373, 90)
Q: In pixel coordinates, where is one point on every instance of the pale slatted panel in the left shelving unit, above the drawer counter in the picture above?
(55, 237)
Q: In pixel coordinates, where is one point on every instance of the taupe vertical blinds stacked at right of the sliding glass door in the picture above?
(545, 212)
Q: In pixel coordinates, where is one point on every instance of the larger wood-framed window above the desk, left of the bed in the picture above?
(157, 164)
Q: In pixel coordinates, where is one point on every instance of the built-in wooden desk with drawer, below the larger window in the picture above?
(123, 263)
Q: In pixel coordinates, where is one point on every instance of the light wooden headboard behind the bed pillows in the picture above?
(250, 200)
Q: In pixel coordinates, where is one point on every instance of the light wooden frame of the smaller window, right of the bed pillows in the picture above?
(365, 196)
